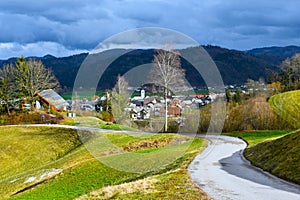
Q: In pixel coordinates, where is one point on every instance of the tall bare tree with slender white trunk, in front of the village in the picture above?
(167, 72)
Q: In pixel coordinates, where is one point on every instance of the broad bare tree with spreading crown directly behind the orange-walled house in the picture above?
(32, 76)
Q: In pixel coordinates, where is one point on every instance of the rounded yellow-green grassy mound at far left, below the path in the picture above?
(20, 152)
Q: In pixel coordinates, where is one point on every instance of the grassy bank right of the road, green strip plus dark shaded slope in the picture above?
(277, 152)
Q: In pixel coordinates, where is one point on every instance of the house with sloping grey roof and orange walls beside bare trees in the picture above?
(50, 99)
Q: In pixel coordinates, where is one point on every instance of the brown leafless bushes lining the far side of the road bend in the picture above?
(252, 114)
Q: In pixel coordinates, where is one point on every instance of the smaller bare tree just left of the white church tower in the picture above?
(120, 97)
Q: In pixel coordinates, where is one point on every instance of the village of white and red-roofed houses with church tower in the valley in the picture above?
(140, 107)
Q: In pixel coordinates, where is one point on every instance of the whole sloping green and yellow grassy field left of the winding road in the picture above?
(52, 163)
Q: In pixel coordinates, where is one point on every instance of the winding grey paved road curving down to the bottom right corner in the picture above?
(222, 172)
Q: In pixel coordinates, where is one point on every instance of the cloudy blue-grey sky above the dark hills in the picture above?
(66, 27)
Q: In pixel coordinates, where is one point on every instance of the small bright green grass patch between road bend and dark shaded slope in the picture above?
(254, 137)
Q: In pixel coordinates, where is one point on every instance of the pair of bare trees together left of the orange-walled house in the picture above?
(19, 82)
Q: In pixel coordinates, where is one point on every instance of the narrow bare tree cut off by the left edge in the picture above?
(7, 86)
